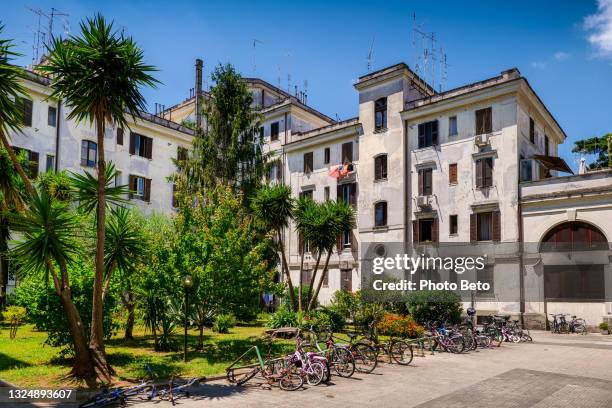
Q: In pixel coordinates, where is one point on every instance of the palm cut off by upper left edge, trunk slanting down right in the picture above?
(11, 117)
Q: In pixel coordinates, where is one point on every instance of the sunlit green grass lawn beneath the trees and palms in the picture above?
(26, 361)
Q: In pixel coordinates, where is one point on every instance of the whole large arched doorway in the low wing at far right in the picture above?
(573, 275)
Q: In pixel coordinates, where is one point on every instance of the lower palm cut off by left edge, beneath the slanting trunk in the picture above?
(12, 199)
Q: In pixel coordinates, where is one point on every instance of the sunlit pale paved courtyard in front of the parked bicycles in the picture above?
(554, 371)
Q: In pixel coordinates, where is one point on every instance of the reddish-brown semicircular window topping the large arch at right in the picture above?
(574, 236)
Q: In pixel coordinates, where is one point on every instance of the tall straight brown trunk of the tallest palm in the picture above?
(96, 339)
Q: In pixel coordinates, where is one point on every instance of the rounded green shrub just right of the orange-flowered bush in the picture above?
(433, 305)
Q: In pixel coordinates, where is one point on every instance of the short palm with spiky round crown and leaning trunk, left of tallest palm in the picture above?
(48, 245)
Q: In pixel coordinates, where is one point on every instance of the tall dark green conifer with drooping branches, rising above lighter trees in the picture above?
(228, 150)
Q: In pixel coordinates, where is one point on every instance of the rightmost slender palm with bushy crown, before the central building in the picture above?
(341, 218)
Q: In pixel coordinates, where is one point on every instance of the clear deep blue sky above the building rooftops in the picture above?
(563, 47)
